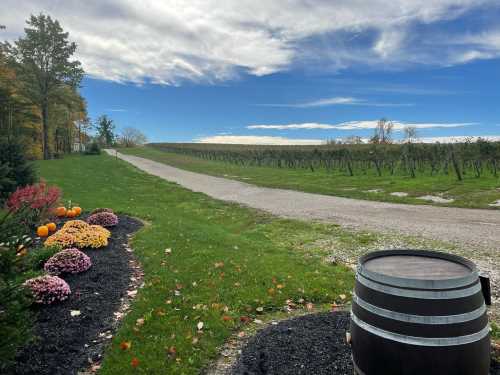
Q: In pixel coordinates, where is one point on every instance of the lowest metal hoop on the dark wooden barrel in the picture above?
(421, 341)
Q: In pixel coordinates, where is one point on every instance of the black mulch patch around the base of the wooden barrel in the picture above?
(311, 344)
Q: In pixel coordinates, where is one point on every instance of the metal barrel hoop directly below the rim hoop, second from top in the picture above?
(421, 294)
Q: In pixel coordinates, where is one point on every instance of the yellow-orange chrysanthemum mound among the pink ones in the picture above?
(78, 233)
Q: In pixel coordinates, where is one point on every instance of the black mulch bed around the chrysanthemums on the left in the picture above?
(63, 343)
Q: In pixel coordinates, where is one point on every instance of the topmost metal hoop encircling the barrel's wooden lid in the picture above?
(419, 283)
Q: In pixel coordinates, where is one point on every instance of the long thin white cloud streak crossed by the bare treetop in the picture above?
(362, 125)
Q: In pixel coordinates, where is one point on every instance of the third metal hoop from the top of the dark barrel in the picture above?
(419, 319)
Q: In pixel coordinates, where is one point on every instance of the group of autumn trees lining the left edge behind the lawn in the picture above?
(40, 104)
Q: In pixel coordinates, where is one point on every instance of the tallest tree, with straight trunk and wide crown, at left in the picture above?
(44, 63)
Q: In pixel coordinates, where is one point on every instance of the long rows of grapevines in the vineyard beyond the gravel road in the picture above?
(468, 158)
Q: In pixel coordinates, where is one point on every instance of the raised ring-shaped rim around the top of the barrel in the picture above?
(461, 279)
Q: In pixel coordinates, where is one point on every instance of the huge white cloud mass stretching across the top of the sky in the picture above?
(209, 40)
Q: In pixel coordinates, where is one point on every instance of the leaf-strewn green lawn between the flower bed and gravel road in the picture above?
(226, 262)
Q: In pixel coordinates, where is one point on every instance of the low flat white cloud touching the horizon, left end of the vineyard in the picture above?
(257, 140)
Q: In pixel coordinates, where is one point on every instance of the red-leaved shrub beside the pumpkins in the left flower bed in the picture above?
(40, 199)
